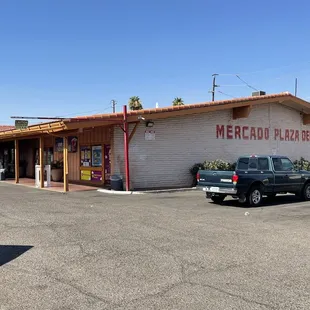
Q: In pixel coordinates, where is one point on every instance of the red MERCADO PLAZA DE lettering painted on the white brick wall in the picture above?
(259, 133)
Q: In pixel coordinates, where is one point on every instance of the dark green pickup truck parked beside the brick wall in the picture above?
(255, 176)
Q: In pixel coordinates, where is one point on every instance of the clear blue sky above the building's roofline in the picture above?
(66, 58)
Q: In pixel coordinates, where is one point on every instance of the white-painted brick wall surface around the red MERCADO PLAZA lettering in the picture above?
(182, 141)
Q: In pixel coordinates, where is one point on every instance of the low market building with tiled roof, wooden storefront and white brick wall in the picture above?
(163, 143)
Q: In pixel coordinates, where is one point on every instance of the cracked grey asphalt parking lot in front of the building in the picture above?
(90, 250)
